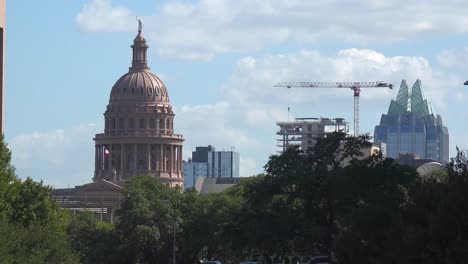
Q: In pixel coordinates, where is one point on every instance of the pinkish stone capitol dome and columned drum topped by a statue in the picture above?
(139, 136)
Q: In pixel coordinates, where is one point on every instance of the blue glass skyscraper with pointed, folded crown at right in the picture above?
(411, 126)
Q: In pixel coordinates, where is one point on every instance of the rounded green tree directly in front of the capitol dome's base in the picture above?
(147, 216)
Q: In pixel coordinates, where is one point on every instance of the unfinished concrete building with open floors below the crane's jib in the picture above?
(304, 132)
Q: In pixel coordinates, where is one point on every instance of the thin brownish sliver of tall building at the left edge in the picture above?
(2, 63)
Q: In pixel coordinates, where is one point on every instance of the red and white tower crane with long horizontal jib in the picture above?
(355, 86)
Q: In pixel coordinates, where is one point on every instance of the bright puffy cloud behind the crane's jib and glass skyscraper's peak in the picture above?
(254, 78)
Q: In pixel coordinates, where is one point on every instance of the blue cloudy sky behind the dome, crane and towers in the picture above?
(220, 60)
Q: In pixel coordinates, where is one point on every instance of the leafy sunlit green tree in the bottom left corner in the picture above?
(31, 224)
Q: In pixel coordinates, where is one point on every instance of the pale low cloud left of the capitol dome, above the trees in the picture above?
(58, 157)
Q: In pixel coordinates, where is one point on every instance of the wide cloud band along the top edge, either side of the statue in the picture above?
(202, 29)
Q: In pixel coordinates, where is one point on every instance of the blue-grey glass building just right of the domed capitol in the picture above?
(207, 162)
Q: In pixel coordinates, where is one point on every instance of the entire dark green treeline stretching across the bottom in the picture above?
(329, 201)
